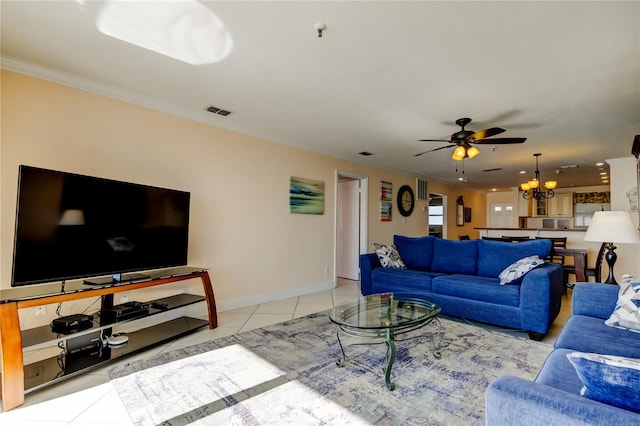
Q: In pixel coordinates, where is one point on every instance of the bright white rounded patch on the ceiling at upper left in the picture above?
(184, 30)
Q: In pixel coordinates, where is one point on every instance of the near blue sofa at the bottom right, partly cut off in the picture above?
(553, 397)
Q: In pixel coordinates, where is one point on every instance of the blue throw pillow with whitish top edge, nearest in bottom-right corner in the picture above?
(614, 380)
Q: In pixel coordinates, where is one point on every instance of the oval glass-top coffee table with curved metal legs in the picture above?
(381, 317)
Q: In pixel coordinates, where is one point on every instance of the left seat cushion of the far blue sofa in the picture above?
(401, 280)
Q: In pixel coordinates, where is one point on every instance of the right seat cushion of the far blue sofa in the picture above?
(477, 288)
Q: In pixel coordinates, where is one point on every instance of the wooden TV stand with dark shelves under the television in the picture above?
(13, 340)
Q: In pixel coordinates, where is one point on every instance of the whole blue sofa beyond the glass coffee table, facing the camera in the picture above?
(462, 276)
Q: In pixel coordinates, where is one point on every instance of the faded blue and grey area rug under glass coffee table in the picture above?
(287, 374)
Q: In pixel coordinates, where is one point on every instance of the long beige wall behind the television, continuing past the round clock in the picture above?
(240, 227)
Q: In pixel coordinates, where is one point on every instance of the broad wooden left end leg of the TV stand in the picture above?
(11, 360)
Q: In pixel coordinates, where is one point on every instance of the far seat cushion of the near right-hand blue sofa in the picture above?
(590, 334)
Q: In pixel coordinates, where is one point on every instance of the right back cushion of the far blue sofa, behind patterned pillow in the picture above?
(495, 256)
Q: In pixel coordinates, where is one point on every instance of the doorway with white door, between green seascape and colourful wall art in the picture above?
(351, 223)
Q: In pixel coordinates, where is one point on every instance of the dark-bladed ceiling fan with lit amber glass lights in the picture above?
(463, 139)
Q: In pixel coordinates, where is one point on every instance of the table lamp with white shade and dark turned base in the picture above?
(612, 227)
